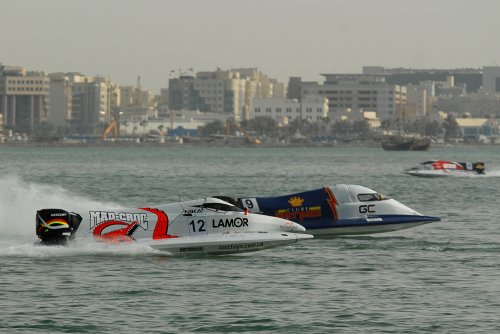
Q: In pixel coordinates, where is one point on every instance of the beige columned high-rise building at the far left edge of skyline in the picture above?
(24, 98)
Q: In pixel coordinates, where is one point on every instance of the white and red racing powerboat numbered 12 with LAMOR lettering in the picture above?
(203, 226)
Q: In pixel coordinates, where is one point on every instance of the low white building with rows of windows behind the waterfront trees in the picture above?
(284, 110)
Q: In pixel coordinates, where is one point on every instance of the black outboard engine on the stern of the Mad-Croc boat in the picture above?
(56, 226)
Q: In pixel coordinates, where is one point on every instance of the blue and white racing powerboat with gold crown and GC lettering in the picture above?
(338, 210)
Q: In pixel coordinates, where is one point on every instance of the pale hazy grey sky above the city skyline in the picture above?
(122, 39)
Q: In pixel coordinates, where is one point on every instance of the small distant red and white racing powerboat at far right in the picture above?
(439, 168)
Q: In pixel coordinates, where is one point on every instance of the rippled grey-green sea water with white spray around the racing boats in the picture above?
(437, 278)
